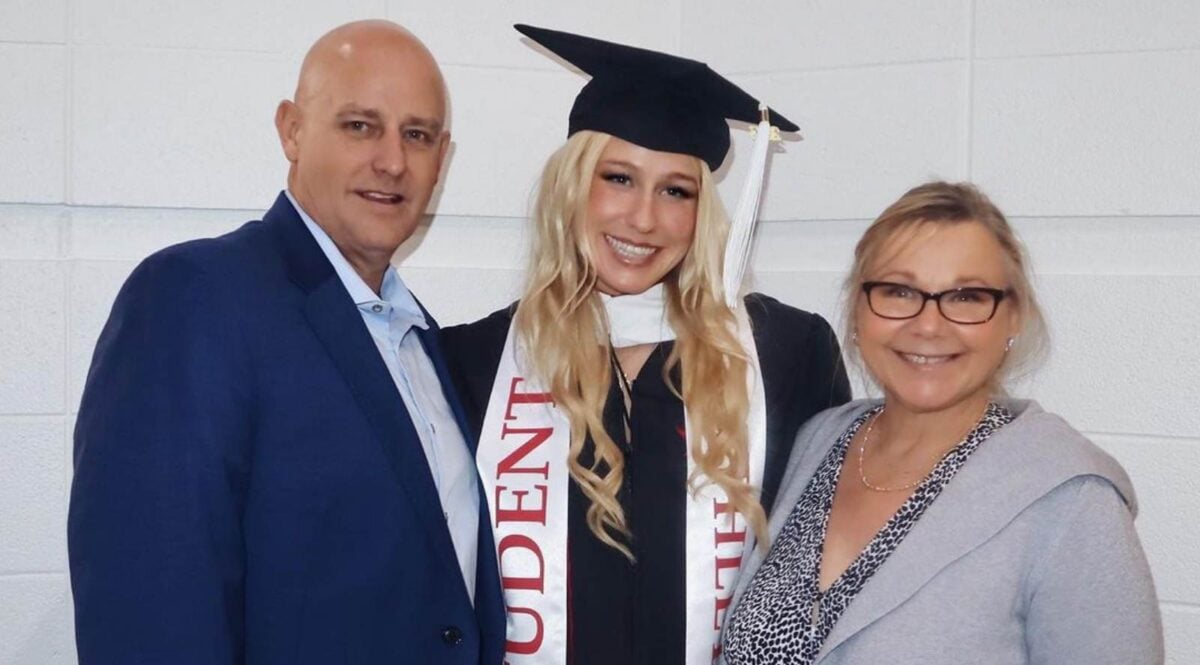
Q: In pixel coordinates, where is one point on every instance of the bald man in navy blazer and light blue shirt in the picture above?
(269, 465)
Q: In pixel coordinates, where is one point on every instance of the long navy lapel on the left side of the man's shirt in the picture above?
(339, 326)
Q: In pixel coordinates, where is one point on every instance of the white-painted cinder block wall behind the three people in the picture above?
(128, 125)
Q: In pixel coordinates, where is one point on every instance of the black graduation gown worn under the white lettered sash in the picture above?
(634, 613)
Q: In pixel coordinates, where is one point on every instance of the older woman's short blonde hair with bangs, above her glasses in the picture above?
(953, 203)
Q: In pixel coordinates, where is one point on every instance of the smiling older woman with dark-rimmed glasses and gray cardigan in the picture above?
(946, 523)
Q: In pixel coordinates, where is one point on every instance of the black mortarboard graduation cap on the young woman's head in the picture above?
(655, 100)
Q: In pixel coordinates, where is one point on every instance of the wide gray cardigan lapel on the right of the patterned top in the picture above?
(1009, 472)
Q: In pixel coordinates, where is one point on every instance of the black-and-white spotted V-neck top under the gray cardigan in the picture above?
(784, 618)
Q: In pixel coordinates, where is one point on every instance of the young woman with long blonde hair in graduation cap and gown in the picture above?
(634, 423)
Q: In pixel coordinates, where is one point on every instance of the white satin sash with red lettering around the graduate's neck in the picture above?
(523, 460)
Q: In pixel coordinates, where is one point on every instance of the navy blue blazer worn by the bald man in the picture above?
(249, 486)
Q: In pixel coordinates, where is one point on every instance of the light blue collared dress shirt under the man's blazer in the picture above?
(391, 317)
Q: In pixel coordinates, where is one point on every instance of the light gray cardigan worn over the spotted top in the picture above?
(1029, 556)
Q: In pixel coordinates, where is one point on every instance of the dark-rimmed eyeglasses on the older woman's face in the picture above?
(967, 305)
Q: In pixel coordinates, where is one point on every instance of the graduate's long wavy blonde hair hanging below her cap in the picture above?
(561, 313)
